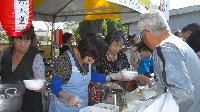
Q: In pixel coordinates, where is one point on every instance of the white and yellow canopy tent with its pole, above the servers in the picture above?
(74, 10)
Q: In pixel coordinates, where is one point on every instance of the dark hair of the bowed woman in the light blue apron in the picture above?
(92, 45)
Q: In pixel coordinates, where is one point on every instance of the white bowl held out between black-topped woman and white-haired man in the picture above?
(129, 75)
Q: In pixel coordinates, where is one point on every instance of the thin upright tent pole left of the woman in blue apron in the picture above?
(52, 40)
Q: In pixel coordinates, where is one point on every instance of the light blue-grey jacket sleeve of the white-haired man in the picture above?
(178, 76)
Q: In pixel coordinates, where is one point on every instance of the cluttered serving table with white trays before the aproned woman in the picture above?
(133, 101)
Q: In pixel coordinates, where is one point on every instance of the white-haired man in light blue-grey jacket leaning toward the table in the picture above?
(175, 63)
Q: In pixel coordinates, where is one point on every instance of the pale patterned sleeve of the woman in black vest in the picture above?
(38, 67)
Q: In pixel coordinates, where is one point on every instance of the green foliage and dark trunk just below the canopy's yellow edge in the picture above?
(96, 26)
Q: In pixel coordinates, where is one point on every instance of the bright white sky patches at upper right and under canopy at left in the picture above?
(174, 4)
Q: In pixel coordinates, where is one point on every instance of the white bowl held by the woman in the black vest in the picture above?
(36, 84)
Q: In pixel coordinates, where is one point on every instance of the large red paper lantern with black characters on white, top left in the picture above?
(15, 16)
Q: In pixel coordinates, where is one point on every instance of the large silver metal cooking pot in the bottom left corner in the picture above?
(11, 96)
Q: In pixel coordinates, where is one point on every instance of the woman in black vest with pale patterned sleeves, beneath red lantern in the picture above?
(22, 62)
